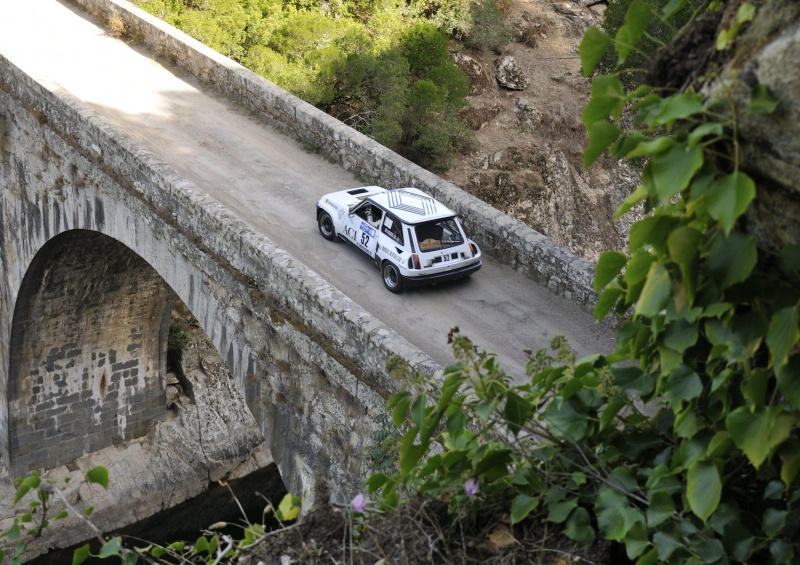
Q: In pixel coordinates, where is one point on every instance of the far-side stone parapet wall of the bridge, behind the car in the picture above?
(506, 239)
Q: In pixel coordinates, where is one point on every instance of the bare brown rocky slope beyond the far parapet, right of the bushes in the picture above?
(525, 106)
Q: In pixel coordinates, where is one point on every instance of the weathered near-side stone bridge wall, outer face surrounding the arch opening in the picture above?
(309, 361)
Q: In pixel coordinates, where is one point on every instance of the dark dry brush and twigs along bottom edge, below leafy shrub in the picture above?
(420, 533)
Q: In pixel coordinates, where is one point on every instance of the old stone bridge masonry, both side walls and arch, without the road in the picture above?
(97, 236)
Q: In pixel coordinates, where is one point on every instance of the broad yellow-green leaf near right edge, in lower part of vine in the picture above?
(757, 433)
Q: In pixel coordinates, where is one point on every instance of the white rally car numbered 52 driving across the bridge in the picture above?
(412, 238)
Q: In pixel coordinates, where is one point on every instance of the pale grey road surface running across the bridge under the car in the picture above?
(272, 183)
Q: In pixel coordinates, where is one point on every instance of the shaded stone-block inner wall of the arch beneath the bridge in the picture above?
(88, 351)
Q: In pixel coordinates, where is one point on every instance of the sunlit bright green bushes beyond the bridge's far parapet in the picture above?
(384, 69)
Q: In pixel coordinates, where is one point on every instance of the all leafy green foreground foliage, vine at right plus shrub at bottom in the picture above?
(684, 444)
